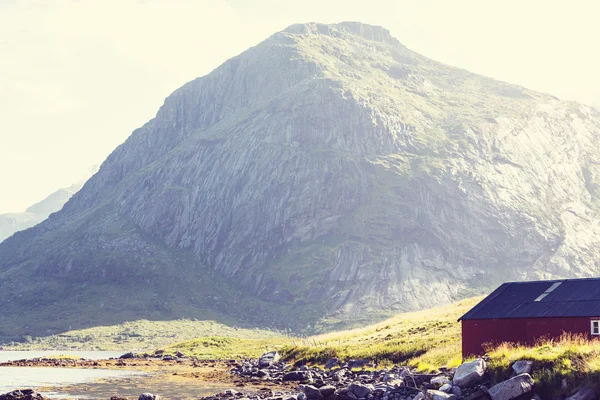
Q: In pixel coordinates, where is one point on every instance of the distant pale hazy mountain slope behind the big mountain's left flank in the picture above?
(14, 222)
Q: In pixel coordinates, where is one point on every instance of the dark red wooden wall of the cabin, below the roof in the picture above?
(476, 333)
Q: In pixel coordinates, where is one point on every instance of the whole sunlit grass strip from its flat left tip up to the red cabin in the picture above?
(426, 339)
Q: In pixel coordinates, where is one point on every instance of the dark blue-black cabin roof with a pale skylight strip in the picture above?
(558, 298)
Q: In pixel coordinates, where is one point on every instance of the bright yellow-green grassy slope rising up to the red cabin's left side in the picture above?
(425, 339)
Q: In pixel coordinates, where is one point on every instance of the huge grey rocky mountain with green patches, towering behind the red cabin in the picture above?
(328, 171)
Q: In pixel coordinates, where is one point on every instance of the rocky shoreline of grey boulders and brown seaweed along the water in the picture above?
(269, 378)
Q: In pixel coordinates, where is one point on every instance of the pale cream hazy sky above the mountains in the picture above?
(77, 76)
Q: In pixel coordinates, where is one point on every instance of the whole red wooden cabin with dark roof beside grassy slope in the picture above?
(523, 312)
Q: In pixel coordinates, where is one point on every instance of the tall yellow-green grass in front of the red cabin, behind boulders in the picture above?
(571, 358)
